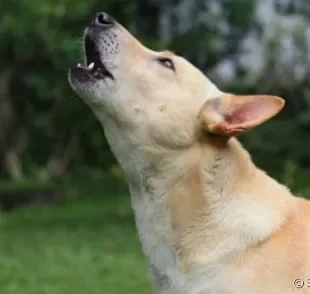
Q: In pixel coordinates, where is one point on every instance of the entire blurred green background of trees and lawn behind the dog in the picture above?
(65, 224)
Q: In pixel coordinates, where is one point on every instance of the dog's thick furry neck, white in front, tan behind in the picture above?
(208, 200)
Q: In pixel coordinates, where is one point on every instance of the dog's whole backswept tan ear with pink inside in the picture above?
(230, 115)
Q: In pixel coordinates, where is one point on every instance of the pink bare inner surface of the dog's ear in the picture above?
(249, 111)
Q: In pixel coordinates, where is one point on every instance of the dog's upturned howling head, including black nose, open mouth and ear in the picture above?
(158, 96)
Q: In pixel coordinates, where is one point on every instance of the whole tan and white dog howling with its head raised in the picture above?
(210, 222)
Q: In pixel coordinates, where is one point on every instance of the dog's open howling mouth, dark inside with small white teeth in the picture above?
(94, 66)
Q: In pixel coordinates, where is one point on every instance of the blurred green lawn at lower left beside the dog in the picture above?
(85, 248)
